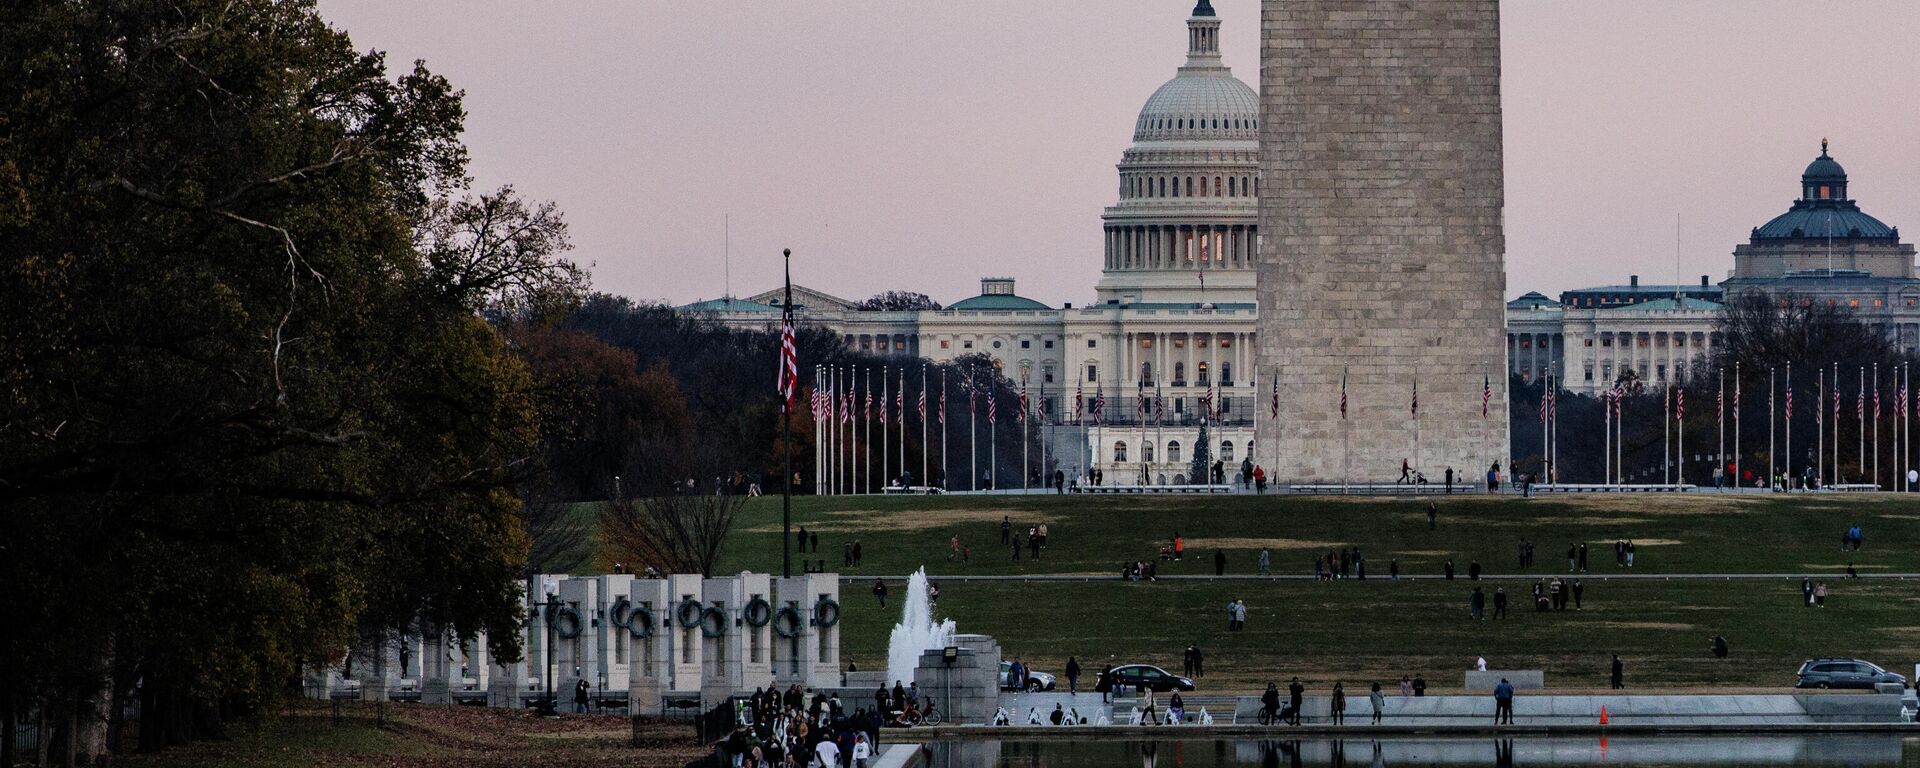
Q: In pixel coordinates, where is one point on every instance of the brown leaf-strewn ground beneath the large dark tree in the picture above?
(429, 736)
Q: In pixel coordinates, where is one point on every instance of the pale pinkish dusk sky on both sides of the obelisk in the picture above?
(926, 145)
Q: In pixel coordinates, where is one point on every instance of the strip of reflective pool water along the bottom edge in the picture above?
(1646, 752)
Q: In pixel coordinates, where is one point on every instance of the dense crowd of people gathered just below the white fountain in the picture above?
(790, 731)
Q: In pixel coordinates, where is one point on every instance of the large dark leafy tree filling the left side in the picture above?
(249, 408)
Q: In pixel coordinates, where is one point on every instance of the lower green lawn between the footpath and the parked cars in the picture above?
(1380, 631)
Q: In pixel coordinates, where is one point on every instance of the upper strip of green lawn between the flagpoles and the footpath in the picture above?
(1097, 535)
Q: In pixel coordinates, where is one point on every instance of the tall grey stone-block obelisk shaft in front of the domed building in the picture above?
(1383, 252)
